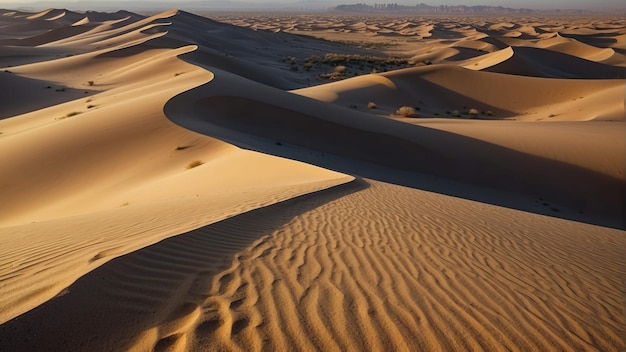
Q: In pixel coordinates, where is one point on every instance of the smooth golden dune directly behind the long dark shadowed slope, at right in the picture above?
(437, 89)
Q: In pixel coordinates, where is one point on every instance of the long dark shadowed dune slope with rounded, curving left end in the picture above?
(352, 142)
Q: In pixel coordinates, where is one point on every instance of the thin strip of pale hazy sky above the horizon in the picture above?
(563, 4)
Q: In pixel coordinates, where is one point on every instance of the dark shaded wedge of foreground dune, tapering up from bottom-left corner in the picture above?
(111, 307)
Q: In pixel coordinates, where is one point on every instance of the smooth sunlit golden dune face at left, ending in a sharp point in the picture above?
(105, 152)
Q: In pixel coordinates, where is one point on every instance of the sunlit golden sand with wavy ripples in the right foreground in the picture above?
(395, 269)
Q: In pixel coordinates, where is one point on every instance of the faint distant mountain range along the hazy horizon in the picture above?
(446, 9)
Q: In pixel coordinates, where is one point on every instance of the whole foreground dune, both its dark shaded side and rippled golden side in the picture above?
(430, 272)
